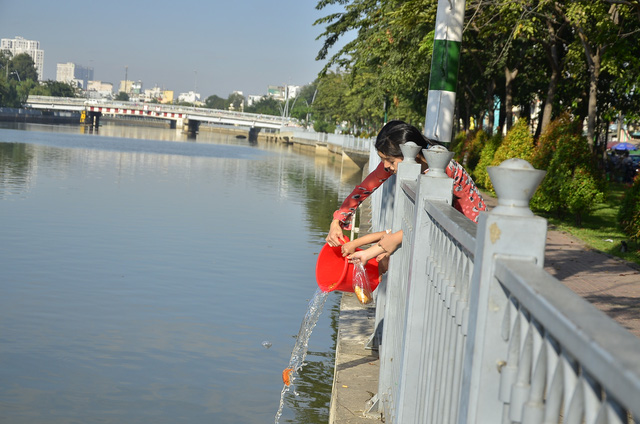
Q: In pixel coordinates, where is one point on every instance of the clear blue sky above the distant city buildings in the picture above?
(218, 46)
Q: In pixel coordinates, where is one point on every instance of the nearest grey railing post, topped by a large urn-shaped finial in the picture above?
(509, 230)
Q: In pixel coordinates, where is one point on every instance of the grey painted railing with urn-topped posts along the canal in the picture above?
(475, 331)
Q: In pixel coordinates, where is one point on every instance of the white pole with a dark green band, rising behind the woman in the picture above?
(444, 70)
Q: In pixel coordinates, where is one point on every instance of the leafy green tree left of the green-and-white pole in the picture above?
(384, 66)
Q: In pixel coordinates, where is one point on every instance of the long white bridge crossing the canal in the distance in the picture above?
(187, 118)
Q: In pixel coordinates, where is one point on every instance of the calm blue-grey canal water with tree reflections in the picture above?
(147, 277)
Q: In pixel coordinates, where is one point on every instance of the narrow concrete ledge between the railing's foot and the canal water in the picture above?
(355, 379)
